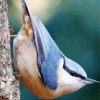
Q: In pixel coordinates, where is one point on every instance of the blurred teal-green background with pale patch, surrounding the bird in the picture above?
(75, 26)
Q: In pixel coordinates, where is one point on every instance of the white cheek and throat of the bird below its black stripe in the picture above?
(67, 81)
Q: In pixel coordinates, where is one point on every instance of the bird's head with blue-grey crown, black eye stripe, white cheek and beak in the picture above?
(72, 76)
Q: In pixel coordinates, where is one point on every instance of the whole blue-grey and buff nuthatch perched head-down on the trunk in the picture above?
(43, 68)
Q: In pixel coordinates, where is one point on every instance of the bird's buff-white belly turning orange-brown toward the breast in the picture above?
(26, 62)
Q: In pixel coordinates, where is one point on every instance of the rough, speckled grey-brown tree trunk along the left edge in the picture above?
(9, 86)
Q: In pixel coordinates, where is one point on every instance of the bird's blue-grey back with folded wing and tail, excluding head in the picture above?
(48, 52)
